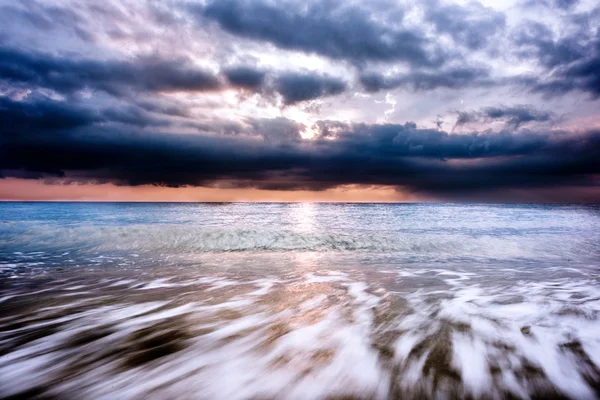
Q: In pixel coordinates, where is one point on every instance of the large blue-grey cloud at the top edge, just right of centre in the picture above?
(332, 29)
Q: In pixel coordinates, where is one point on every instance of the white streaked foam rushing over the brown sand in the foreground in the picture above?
(314, 335)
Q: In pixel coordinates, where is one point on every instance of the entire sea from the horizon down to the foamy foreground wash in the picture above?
(299, 301)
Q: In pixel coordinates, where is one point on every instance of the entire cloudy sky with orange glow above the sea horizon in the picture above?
(239, 100)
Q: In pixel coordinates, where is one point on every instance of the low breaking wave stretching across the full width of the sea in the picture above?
(182, 239)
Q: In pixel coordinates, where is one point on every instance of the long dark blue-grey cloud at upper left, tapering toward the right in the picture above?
(115, 77)
